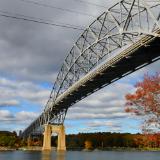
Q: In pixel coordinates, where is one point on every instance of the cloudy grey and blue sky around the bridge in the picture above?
(31, 55)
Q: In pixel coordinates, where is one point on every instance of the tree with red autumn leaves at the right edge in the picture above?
(145, 101)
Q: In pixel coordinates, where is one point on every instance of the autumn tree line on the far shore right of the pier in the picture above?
(113, 140)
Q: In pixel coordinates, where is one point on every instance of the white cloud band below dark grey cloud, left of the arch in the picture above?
(21, 90)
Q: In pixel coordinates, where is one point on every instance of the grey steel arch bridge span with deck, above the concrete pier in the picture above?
(120, 41)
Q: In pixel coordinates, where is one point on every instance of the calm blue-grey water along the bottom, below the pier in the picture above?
(79, 155)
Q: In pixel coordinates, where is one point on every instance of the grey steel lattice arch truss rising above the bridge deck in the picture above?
(121, 26)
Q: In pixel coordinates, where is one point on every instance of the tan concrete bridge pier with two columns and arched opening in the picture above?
(60, 130)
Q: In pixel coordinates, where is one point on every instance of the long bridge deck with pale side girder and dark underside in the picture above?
(140, 54)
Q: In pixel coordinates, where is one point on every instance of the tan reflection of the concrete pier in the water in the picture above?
(47, 155)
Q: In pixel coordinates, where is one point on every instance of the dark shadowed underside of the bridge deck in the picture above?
(145, 55)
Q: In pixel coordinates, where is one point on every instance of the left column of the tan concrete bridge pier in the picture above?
(47, 138)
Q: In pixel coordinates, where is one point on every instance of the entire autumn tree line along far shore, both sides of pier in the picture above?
(88, 141)
